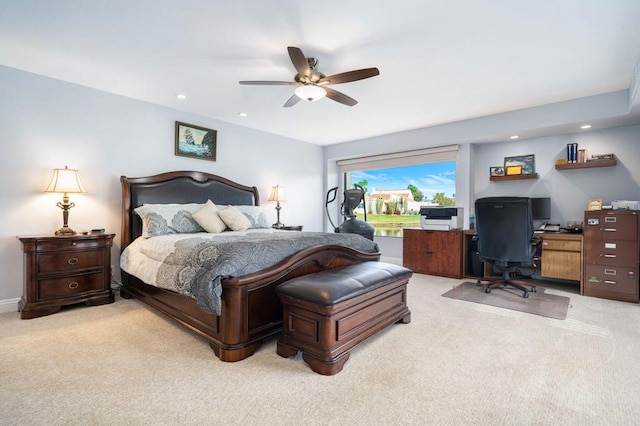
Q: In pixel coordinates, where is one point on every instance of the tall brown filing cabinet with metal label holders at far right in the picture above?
(611, 254)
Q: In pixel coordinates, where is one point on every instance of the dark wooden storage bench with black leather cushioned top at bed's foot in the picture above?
(327, 313)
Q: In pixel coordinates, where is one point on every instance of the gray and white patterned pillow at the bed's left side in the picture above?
(164, 219)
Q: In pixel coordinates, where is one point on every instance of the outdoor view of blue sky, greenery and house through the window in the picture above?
(394, 196)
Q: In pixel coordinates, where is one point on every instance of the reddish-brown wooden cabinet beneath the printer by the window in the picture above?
(433, 252)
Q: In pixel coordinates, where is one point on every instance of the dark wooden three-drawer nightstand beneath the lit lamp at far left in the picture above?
(64, 270)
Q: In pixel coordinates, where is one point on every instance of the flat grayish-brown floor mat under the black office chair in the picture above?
(539, 302)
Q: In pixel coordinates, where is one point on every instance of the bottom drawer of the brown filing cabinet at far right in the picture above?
(611, 279)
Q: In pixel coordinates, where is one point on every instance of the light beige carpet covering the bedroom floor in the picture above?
(455, 363)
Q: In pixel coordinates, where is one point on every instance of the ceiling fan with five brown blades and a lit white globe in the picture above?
(312, 84)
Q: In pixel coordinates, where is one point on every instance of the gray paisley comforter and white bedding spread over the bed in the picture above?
(194, 264)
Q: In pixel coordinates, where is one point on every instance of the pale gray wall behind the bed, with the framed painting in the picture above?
(47, 123)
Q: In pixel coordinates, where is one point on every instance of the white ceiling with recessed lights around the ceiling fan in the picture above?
(440, 61)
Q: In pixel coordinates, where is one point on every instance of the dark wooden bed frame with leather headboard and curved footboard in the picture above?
(250, 309)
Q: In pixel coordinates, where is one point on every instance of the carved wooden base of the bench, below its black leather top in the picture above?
(325, 333)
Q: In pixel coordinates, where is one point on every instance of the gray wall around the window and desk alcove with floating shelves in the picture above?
(570, 190)
